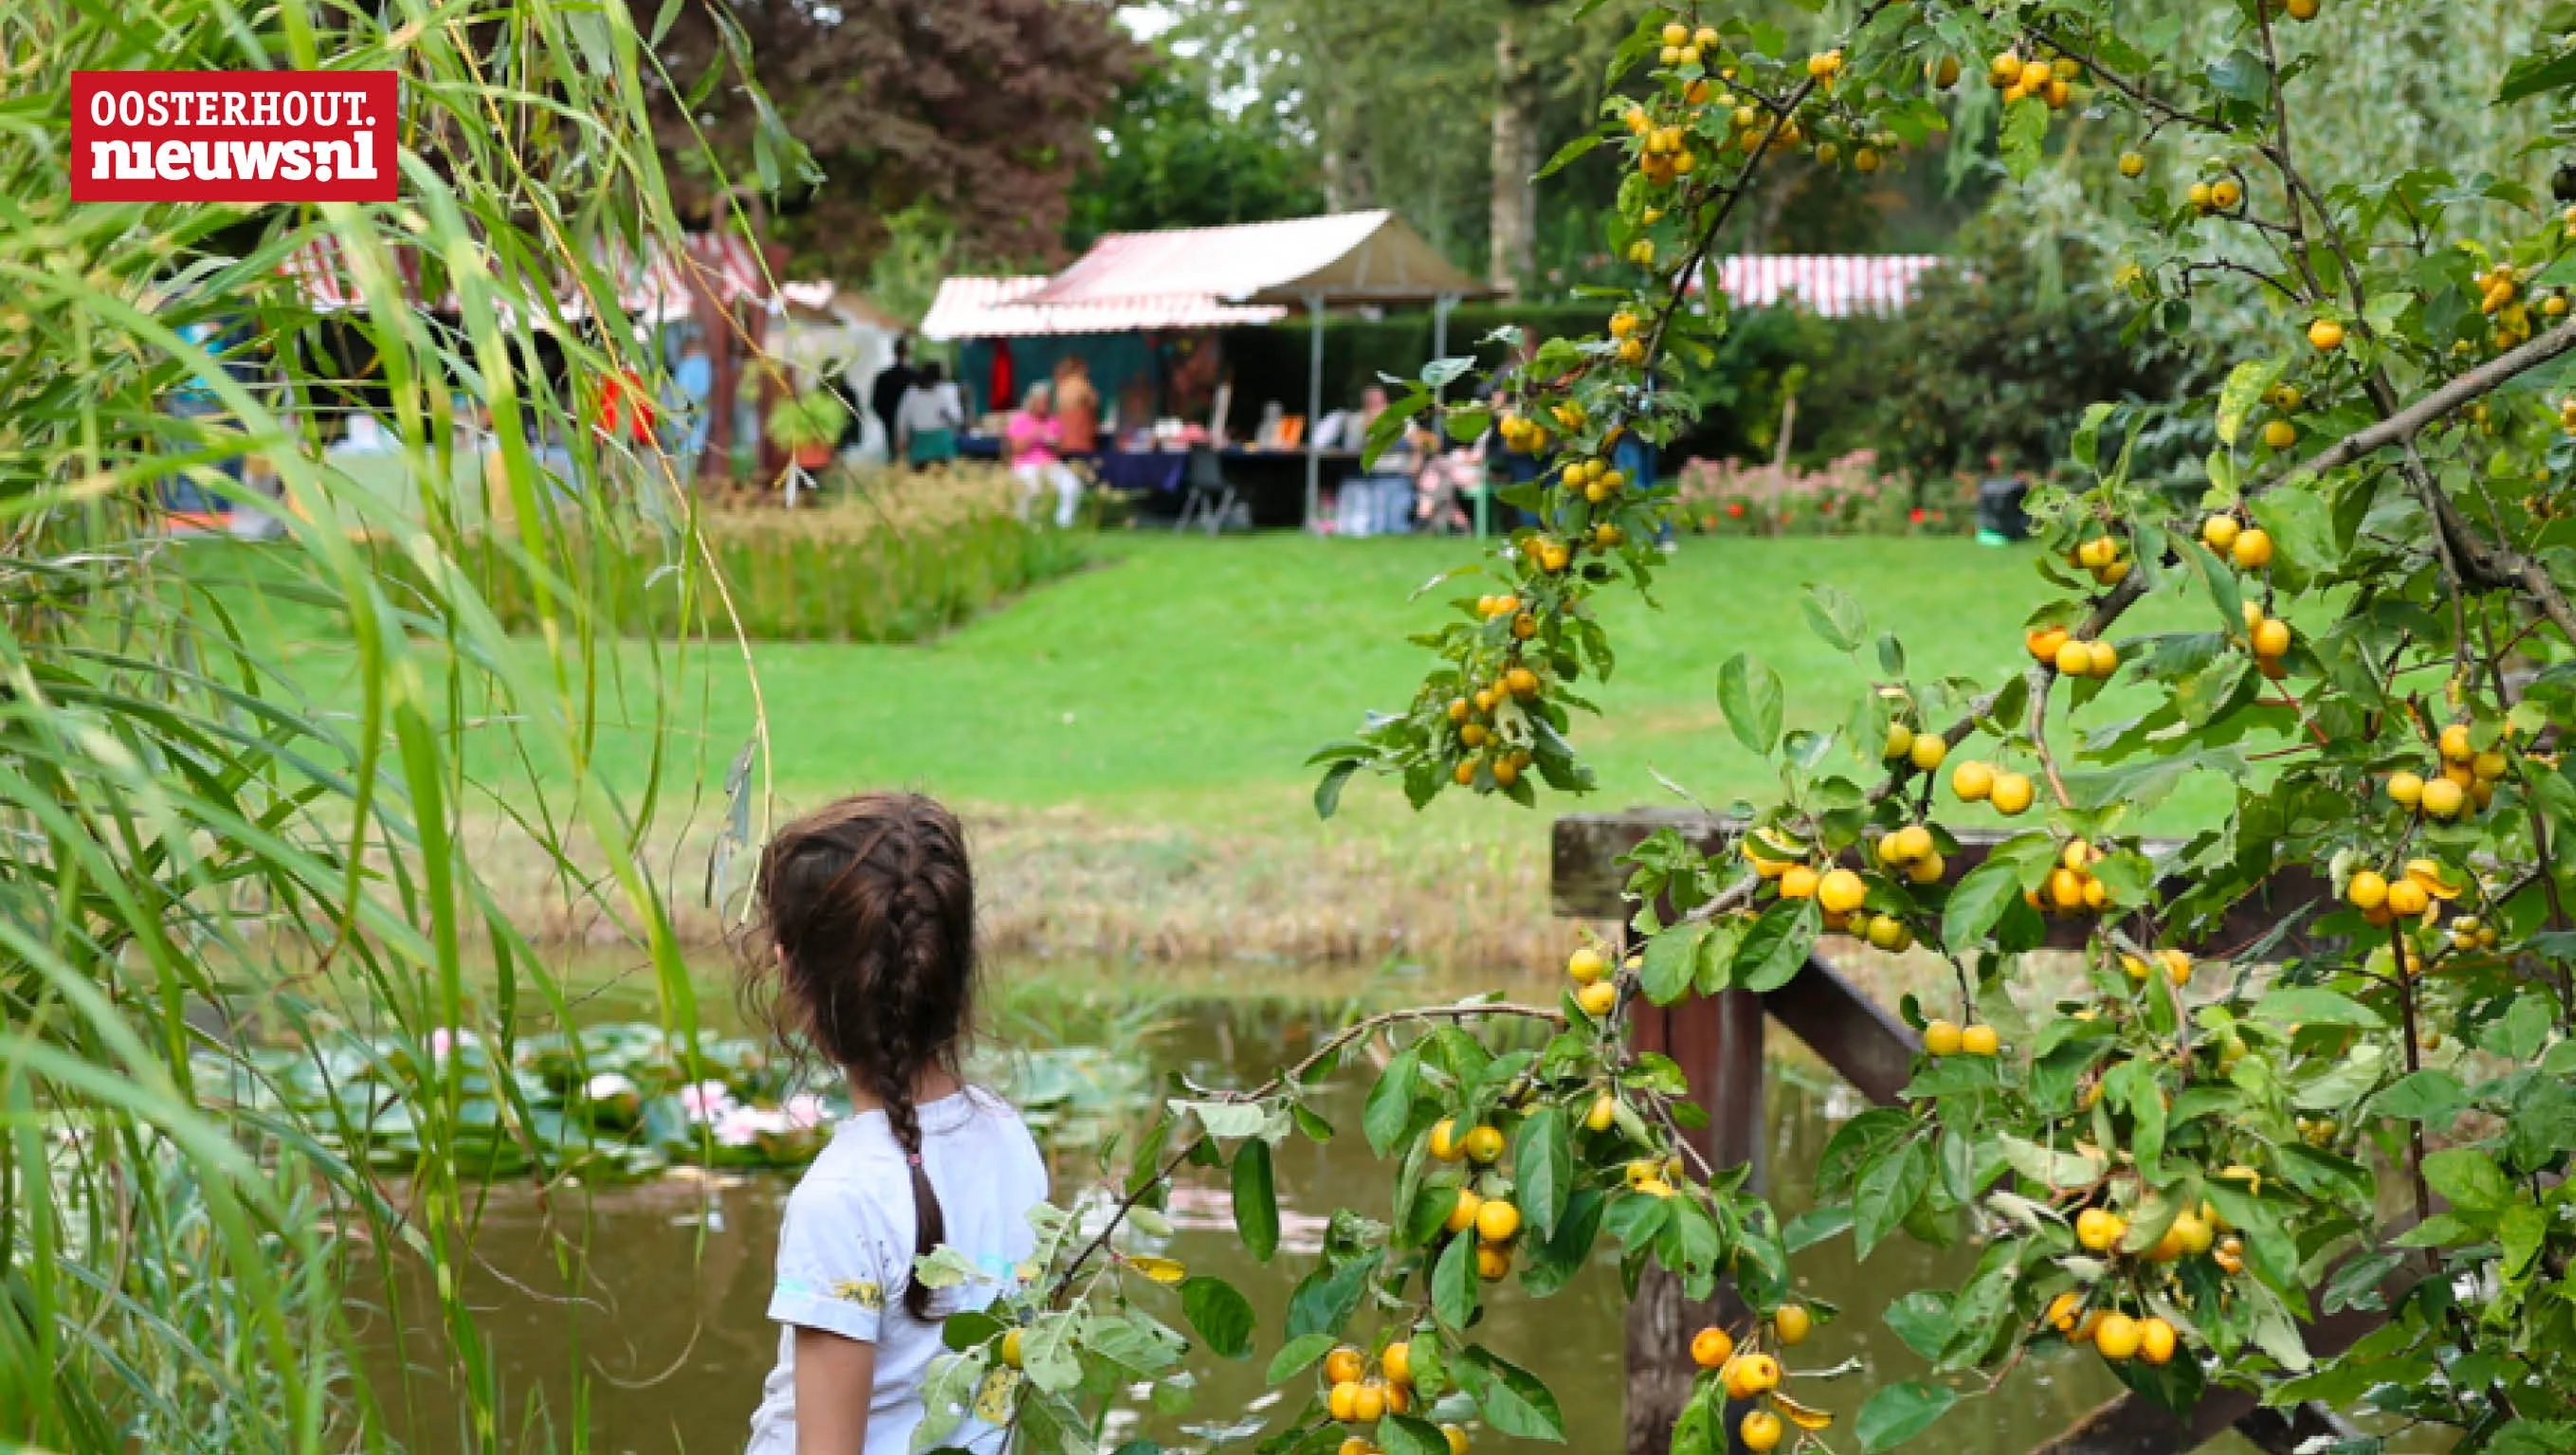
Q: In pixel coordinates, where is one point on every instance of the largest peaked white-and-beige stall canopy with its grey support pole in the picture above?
(1318, 261)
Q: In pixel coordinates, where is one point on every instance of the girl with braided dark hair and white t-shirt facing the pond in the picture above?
(864, 952)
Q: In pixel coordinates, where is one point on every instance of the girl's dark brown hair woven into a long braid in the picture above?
(867, 928)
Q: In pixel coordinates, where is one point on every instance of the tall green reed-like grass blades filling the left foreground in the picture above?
(197, 856)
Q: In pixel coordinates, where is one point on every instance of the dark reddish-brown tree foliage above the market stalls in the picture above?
(983, 109)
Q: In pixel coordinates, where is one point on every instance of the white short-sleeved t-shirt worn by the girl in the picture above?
(846, 1255)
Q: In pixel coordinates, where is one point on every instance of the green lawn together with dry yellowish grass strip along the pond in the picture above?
(1130, 743)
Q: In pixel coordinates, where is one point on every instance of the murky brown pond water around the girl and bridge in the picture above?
(658, 1289)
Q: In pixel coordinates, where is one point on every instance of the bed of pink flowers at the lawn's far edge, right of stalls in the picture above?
(1846, 498)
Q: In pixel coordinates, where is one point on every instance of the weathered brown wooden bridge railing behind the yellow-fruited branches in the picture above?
(1719, 1044)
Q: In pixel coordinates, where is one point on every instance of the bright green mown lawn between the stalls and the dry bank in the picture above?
(1191, 679)
